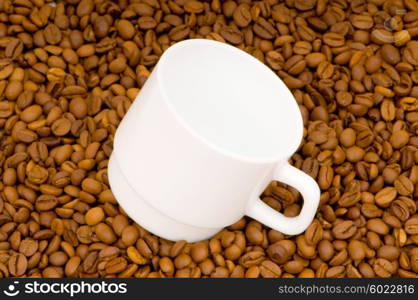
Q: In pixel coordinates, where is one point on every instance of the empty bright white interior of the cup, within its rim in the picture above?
(230, 100)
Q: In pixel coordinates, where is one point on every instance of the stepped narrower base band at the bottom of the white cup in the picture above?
(147, 216)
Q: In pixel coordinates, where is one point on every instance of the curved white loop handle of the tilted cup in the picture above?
(289, 225)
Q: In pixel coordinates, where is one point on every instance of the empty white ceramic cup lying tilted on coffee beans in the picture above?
(210, 129)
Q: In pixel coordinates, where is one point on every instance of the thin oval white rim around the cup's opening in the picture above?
(298, 128)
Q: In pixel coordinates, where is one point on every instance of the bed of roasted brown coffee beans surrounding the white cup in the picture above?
(69, 72)
